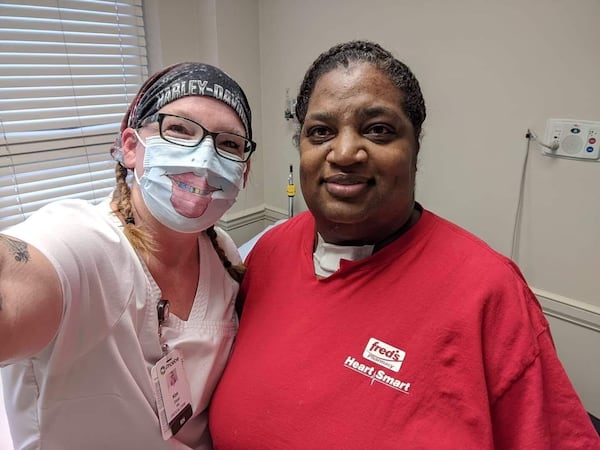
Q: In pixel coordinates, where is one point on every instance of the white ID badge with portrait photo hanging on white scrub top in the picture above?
(172, 393)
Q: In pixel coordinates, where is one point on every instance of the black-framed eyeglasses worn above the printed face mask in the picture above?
(187, 133)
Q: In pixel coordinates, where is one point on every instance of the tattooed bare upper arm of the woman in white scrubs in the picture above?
(30, 299)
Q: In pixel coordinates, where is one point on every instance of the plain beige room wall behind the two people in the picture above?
(489, 71)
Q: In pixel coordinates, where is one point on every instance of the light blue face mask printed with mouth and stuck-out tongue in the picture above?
(188, 189)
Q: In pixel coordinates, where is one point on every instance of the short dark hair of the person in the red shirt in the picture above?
(365, 52)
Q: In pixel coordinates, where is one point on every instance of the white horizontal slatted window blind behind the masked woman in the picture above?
(68, 70)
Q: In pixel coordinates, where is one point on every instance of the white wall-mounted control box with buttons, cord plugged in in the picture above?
(569, 138)
